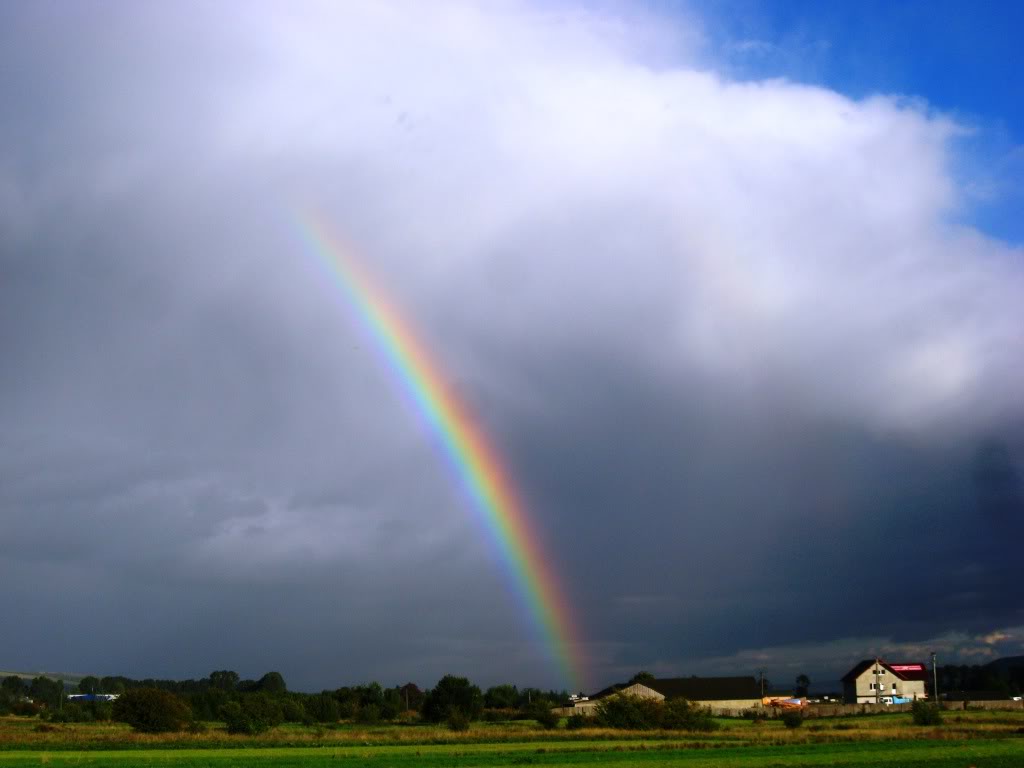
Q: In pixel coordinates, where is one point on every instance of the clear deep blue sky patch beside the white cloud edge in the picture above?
(963, 59)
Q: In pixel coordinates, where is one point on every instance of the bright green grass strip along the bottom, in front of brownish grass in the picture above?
(983, 754)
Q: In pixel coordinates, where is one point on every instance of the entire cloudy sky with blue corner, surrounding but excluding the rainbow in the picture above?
(733, 289)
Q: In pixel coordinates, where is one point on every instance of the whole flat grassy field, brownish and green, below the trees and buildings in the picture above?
(972, 739)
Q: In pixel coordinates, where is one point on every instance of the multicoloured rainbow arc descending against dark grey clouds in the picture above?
(492, 495)
